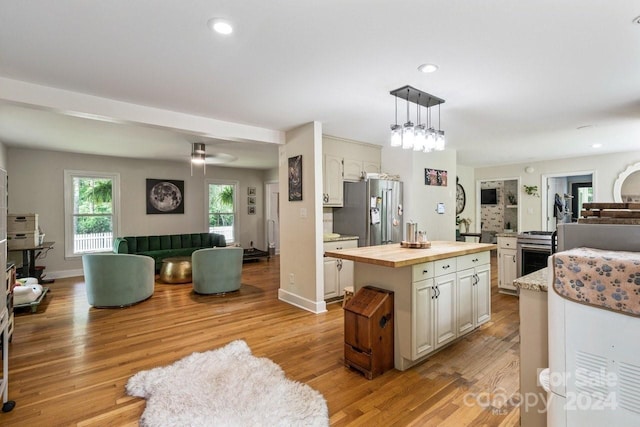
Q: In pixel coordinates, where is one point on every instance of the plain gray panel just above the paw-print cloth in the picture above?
(615, 237)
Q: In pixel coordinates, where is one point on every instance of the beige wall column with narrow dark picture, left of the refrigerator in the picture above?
(301, 273)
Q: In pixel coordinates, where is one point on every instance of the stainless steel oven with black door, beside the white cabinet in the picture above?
(534, 248)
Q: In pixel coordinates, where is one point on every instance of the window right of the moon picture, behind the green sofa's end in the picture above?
(222, 212)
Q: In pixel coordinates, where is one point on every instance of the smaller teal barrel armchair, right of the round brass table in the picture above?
(216, 270)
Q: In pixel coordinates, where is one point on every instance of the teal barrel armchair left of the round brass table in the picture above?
(118, 280)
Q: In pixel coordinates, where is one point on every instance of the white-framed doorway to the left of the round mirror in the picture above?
(563, 197)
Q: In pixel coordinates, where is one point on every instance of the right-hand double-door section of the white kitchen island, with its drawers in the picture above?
(473, 291)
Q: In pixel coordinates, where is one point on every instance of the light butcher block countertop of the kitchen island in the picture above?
(395, 256)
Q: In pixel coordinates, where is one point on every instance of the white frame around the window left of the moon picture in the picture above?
(69, 176)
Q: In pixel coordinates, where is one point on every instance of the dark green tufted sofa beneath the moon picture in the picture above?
(166, 246)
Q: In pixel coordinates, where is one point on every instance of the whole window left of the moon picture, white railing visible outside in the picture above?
(91, 211)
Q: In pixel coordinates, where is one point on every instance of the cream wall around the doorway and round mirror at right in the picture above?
(606, 168)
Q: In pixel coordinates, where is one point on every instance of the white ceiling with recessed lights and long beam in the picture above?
(519, 78)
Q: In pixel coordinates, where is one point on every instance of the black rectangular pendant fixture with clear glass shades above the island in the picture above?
(417, 137)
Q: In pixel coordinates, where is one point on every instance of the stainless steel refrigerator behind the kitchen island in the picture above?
(372, 210)
